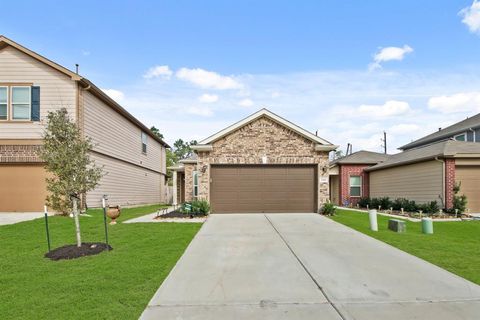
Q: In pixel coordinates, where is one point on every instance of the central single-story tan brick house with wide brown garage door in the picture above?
(262, 163)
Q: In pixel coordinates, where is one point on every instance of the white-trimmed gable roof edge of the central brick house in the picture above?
(266, 113)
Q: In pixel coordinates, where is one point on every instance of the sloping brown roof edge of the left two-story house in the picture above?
(86, 84)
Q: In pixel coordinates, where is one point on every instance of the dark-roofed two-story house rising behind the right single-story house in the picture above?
(465, 130)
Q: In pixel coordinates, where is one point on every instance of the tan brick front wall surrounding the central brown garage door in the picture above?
(247, 145)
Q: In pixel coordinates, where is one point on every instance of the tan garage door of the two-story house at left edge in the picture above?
(22, 188)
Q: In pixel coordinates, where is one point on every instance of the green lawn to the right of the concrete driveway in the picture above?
(454, 246)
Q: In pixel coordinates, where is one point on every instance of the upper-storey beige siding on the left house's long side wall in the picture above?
(117, 137)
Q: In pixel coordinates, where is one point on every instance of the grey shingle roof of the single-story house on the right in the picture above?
(442, 149)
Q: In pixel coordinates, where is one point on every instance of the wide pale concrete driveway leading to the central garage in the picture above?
(304, 266)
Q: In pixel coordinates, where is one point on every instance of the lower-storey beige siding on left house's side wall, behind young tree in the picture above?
(126, 184)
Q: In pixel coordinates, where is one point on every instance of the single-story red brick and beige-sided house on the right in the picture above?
(423, 174)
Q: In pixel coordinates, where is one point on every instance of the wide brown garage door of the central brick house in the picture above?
(270, 188)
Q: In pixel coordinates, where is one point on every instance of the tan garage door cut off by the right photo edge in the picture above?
(469, 177)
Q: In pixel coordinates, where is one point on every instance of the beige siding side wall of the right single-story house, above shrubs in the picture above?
(421, 182)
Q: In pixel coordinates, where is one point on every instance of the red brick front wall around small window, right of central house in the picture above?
(345, 171)
